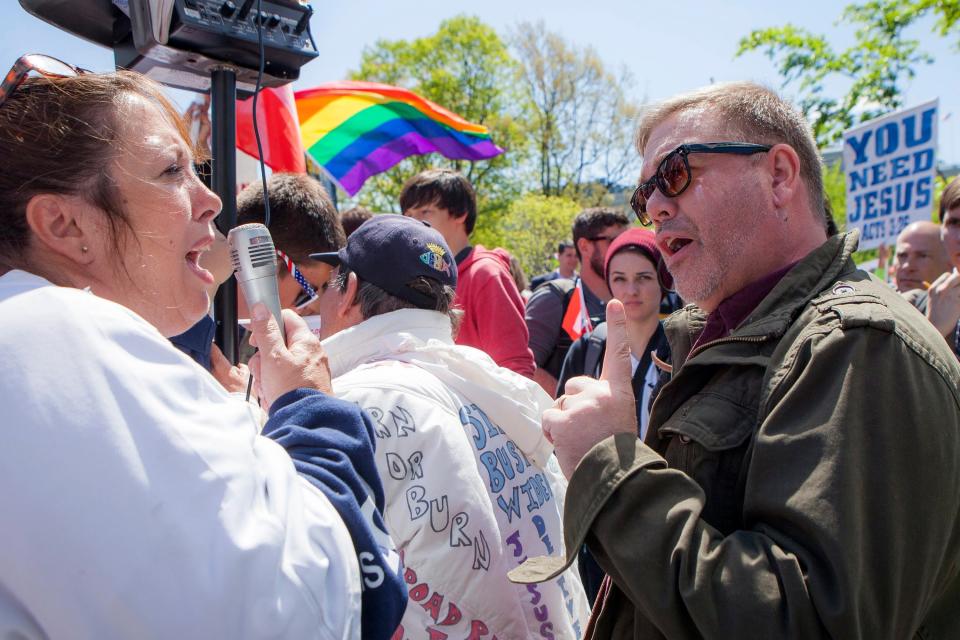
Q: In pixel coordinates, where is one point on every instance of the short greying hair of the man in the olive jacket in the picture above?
(750, 113)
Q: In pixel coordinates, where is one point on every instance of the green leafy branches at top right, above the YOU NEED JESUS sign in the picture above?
(874, 68)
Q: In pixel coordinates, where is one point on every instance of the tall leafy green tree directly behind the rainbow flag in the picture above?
(466, 68)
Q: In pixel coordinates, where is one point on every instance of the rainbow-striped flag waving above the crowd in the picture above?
(355, 130)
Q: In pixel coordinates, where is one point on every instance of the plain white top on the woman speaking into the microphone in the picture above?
(138, 499)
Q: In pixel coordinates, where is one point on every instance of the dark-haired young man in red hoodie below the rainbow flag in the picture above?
(493, 309)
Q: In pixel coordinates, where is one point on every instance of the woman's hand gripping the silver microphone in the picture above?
(278, 367)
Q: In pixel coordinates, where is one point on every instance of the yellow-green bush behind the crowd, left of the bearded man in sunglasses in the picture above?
(530, 230)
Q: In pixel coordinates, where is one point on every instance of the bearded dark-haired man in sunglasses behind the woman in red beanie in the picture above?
(593, 231)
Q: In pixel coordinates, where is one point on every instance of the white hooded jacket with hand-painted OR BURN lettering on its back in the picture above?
(472, 488)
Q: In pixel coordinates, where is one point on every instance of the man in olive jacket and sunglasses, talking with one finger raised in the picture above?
(801, 473)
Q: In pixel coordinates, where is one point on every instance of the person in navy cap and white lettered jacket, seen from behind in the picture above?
(441, 414)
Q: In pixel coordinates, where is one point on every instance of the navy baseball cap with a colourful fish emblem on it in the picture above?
(390, 251)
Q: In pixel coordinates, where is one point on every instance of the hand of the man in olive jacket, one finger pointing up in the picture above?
(592, 410)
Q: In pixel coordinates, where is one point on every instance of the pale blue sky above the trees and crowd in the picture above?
(669, 46)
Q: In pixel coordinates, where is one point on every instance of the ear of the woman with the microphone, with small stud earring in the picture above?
(62, 224)
